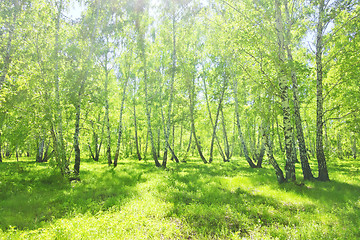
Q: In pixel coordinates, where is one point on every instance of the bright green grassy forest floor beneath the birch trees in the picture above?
(187, 201)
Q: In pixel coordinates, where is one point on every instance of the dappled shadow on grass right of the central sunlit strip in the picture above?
(200, 197)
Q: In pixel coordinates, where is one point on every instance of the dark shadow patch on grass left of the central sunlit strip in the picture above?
(32, 193)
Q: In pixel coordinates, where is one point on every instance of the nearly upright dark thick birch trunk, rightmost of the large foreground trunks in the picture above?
(322, 168)
